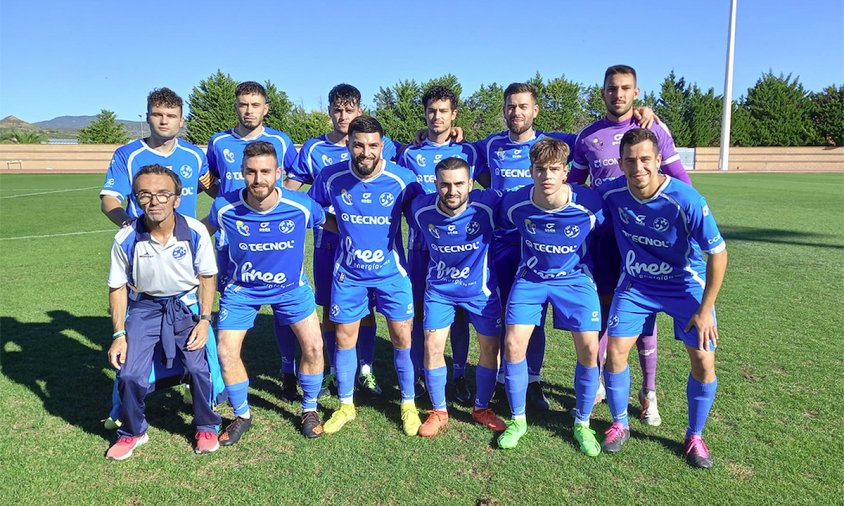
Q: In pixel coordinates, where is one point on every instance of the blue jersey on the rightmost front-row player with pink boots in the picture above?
(662, 239)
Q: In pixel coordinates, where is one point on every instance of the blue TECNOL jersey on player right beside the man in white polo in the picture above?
(266, 249)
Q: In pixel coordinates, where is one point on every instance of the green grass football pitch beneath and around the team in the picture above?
(776, 429)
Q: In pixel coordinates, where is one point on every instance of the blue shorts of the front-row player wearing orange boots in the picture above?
(484, 313)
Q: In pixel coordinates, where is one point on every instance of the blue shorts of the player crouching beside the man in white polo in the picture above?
(238, 310)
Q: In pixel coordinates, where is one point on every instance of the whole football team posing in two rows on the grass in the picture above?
(607, 258)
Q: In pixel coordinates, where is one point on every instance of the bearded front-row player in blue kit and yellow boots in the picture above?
(368, 195)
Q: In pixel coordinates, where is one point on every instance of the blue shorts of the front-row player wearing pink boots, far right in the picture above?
(634, 308)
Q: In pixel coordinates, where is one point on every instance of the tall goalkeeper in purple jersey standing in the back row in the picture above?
(596, 157)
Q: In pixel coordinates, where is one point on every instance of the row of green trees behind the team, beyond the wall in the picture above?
(776, 111)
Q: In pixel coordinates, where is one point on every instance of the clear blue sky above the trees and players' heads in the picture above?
(75, 58)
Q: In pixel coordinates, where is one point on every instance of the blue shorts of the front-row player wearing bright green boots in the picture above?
(575, 302)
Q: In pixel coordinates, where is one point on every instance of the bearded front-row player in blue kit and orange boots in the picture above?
(456, 226)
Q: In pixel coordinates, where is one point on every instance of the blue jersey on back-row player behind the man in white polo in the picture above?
(187, 160)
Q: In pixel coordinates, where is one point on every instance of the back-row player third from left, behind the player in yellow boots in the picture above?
(344, 106)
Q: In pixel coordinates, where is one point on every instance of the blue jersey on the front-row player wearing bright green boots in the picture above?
(554, 242)
